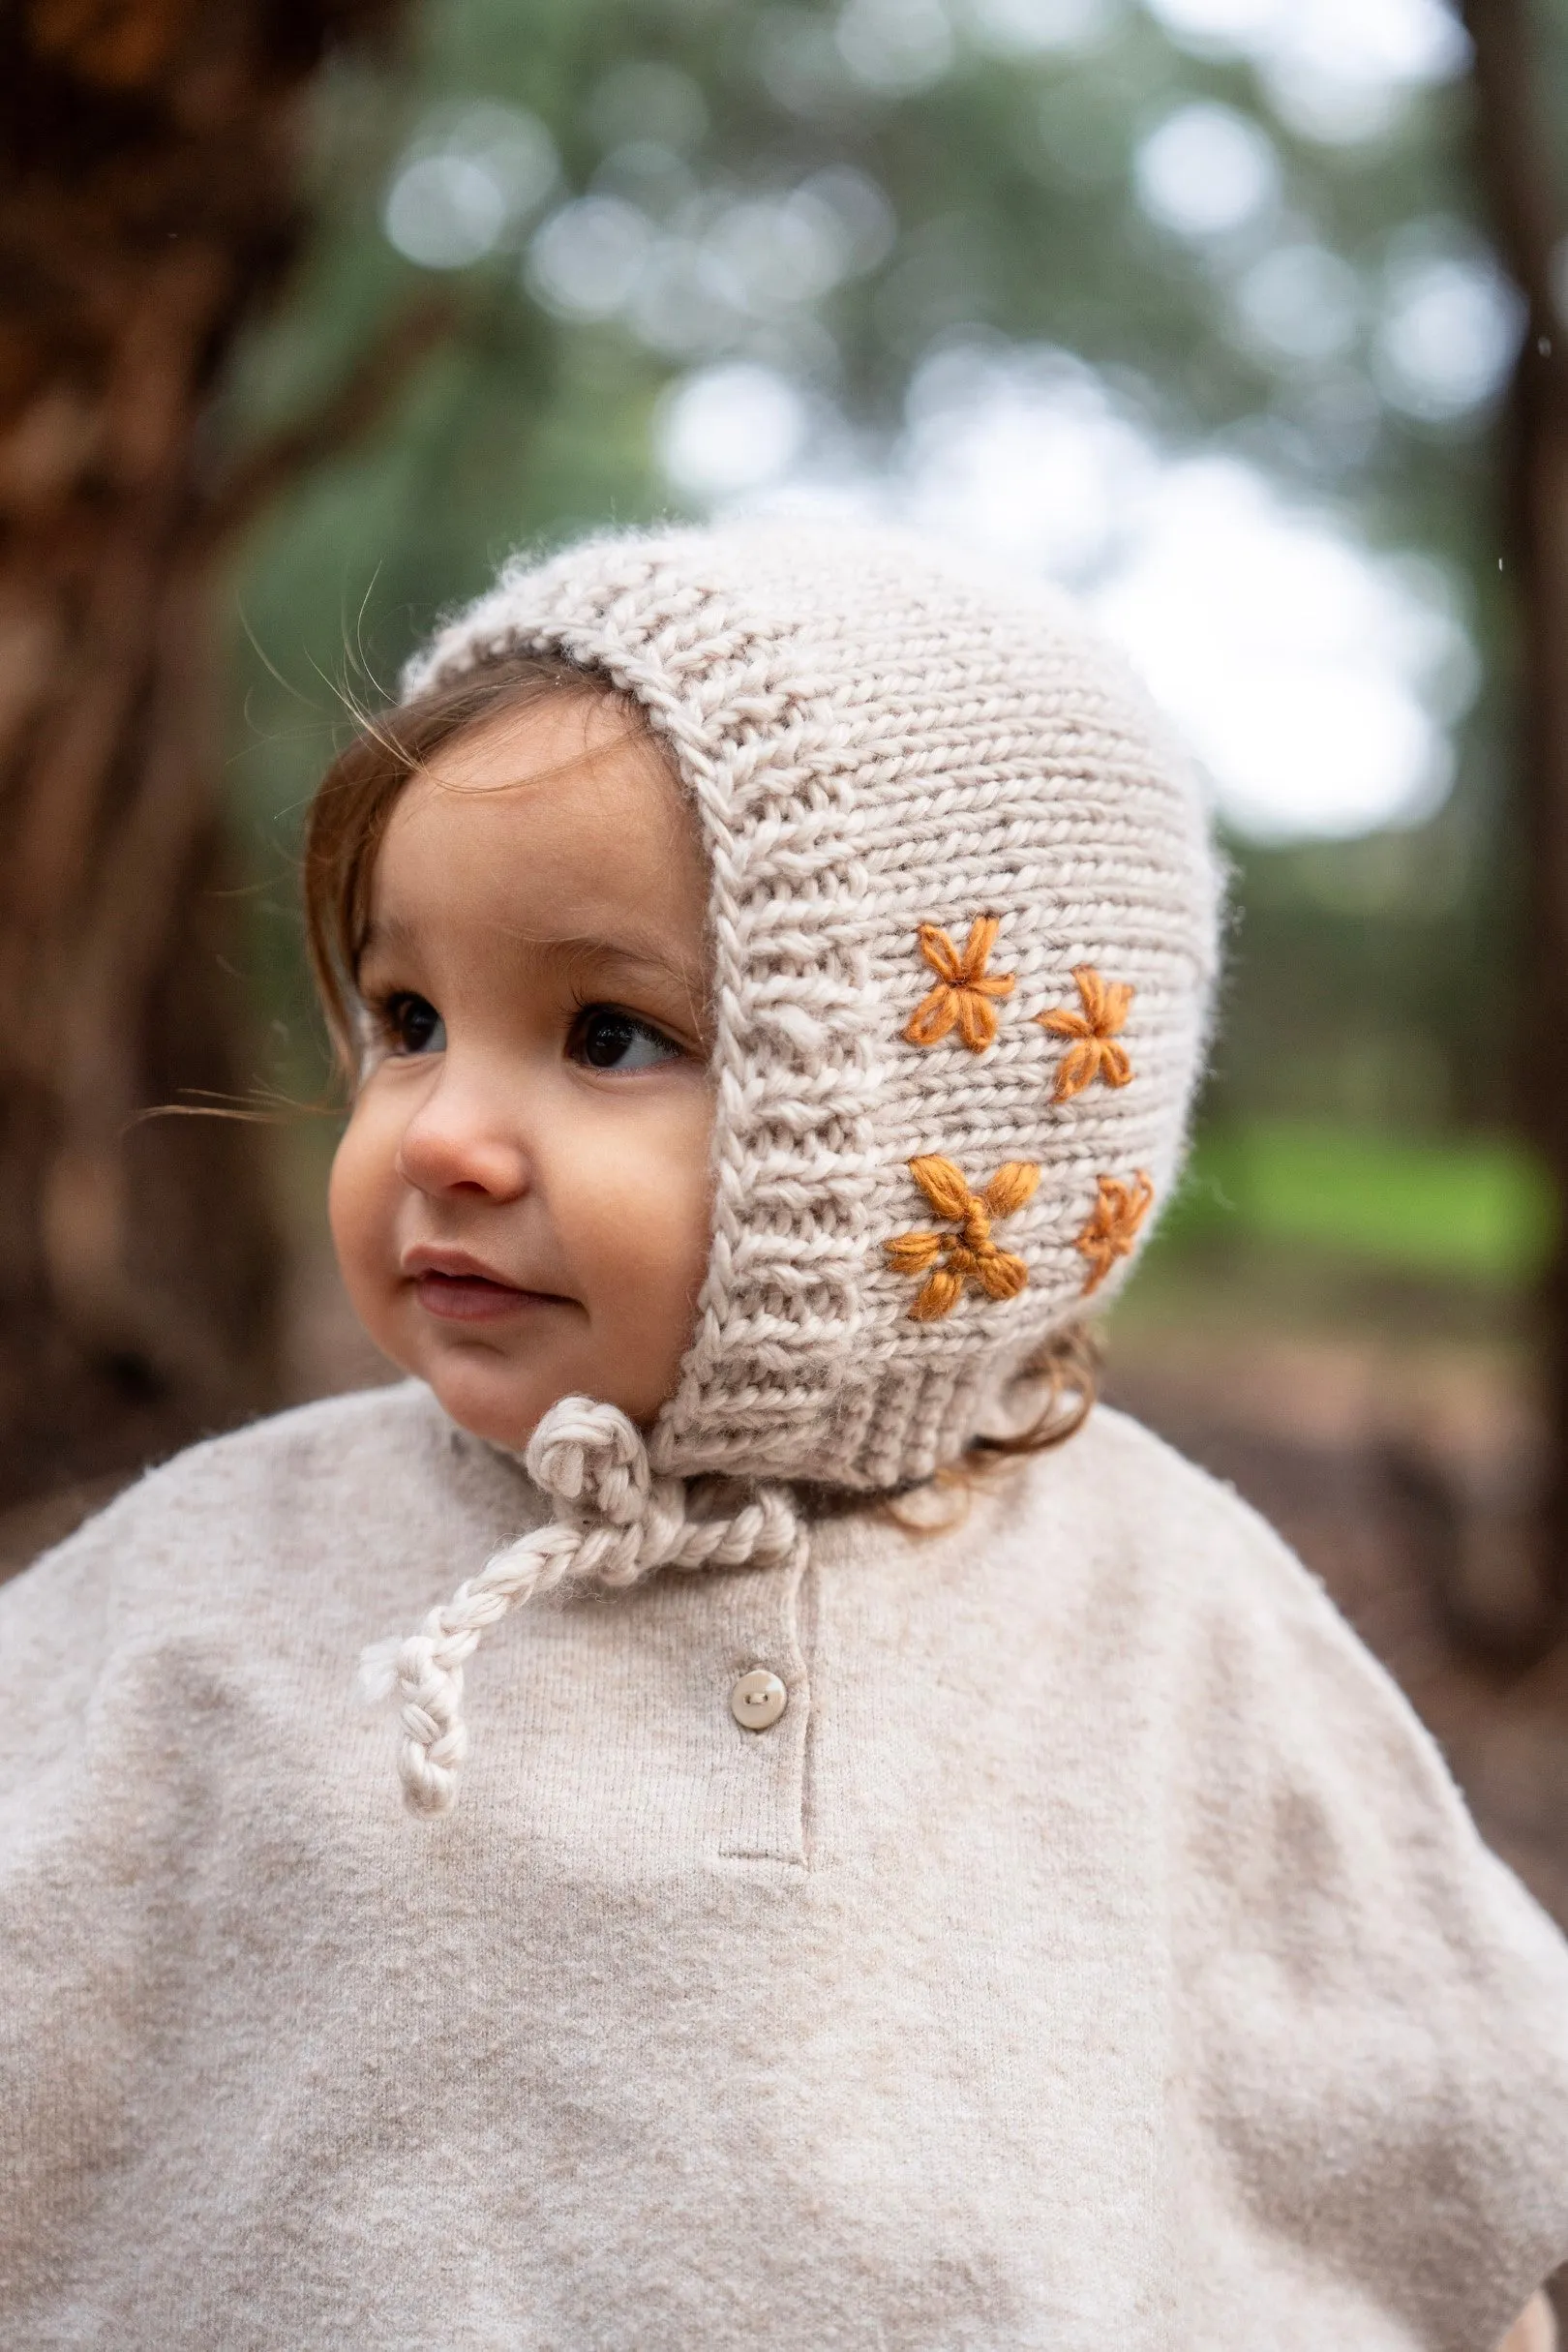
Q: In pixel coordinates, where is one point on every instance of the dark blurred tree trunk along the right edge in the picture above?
(1522, 196)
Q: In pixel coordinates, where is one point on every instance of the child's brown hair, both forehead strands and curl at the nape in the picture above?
(344, 834)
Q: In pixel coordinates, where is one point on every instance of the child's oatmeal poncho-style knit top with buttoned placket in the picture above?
(1094, 1956)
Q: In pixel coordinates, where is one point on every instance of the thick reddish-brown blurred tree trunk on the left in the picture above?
(147, 215)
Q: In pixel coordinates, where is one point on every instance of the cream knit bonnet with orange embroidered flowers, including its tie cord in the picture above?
(963, 942)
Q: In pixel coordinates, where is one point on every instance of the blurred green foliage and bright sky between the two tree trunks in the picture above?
(1191, 307)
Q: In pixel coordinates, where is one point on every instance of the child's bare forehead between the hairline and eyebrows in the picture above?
(558, 808)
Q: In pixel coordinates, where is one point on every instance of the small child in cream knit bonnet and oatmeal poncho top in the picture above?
(775, 970)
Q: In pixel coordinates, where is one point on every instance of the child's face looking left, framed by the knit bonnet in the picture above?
(521, 1201)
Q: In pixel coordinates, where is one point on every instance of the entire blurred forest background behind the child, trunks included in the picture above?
(1235, 316)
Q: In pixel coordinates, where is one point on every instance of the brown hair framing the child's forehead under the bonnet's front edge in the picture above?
(361, 789)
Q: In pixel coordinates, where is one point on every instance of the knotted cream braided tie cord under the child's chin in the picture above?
(615, 1525)
